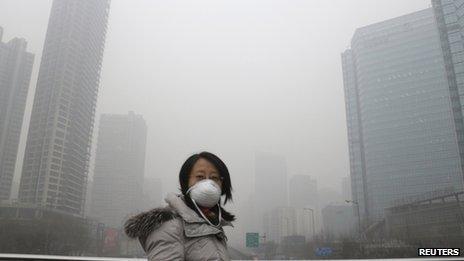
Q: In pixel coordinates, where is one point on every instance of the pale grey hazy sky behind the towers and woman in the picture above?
(231, 77)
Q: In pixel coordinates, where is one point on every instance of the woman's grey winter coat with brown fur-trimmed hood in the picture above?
(177, 232)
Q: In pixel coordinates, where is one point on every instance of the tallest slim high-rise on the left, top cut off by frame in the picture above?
(56, 161)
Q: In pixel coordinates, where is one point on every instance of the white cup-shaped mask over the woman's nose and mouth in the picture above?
(205, 193)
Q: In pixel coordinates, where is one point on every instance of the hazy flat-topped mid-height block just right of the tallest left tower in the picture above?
(119, 168)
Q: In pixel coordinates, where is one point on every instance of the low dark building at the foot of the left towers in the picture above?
(59, 232)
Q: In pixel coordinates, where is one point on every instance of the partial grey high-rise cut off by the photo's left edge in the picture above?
(15, 75)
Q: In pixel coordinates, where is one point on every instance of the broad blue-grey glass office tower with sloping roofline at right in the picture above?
(403, 126)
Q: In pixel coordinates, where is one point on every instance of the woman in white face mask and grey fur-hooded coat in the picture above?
(190, 227)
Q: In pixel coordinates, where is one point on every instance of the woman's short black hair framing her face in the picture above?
(186, 168)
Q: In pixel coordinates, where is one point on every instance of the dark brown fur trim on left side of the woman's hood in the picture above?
(143, 224)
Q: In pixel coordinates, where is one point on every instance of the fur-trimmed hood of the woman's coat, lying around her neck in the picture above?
(141, 225)
